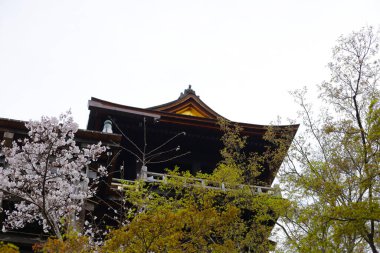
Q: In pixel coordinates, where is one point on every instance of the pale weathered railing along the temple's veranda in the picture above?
(153, 177)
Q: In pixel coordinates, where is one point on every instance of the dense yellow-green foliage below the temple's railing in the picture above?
(173, 218)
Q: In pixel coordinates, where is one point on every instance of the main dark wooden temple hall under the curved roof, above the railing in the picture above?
(186, 126)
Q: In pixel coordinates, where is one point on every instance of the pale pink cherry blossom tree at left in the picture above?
(45, 175)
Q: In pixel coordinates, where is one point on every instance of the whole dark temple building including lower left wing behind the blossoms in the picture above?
(143, 143)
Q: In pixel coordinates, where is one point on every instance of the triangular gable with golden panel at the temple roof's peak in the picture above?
(188, 103)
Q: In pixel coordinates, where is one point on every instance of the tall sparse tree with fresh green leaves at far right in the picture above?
(332, 173)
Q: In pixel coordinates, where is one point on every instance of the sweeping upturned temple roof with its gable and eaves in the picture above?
(188, 110)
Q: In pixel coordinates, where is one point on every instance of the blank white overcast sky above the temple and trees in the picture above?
(241, 57)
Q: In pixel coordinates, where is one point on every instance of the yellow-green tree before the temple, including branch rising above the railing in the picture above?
(196, 213)
